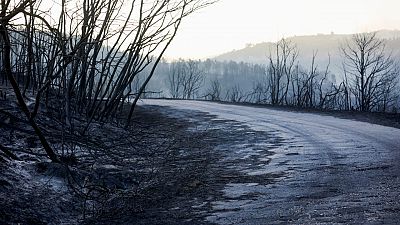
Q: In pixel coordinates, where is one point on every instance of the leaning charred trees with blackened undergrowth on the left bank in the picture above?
(71, 75)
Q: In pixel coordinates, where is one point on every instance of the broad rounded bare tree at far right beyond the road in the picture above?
(370, 70)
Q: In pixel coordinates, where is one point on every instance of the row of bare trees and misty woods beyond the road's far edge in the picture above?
(367, 81)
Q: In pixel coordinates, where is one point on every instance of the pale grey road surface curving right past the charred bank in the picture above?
(335, 170)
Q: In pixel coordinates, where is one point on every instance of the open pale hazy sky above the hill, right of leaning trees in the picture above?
(230, 24)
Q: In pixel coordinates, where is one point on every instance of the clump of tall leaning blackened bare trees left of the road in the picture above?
(85, 56)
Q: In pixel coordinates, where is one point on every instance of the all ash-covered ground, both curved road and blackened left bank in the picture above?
(201, 163)
